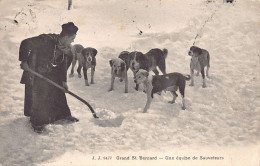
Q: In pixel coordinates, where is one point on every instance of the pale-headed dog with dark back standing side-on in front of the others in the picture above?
(168, 82)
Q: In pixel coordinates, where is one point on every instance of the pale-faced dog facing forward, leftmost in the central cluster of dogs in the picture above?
(119, 68)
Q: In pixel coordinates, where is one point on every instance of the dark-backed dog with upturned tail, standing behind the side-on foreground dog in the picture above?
(149, 61)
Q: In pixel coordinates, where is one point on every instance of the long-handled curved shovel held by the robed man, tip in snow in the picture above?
(63, 89)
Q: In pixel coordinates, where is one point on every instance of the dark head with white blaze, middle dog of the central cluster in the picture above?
(138, 60)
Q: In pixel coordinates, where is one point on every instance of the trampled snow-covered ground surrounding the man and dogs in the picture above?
(220, 120)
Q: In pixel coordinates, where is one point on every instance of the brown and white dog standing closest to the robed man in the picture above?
(86, 58)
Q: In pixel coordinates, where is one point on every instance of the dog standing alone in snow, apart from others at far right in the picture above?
(199, 60)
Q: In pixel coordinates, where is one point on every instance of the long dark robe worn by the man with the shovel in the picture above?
(46, 103)
